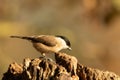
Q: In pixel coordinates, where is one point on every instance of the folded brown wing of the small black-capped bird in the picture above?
(47, 40)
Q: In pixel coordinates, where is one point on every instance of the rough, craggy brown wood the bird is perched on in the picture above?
(66, 67)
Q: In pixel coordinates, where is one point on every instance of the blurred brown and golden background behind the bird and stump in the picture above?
(93, 27)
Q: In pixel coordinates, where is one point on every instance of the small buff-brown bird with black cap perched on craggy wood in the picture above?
(47, 43)
